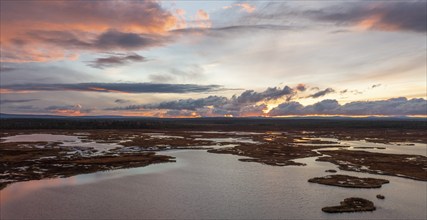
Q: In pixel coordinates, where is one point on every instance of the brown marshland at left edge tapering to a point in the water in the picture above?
(23, 161)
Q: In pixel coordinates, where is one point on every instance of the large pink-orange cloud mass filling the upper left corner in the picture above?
(52, 30)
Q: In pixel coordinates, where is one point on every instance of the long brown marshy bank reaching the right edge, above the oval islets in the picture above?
(401, 165)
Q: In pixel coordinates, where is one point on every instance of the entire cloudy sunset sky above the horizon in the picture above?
(213, 58)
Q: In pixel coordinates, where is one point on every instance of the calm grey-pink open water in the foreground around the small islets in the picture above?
(204, 185)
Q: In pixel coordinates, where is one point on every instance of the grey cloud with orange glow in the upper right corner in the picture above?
(366, 15)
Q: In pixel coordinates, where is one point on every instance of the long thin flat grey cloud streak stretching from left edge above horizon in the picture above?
(113, 87)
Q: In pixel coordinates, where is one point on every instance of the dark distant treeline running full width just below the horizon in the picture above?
(247, 124)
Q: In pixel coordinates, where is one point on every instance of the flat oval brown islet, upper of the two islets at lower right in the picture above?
(349, 181)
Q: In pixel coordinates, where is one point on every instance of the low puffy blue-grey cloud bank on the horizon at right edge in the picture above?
(390, 107)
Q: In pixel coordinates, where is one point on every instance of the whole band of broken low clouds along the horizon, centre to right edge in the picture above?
(250, 103)
